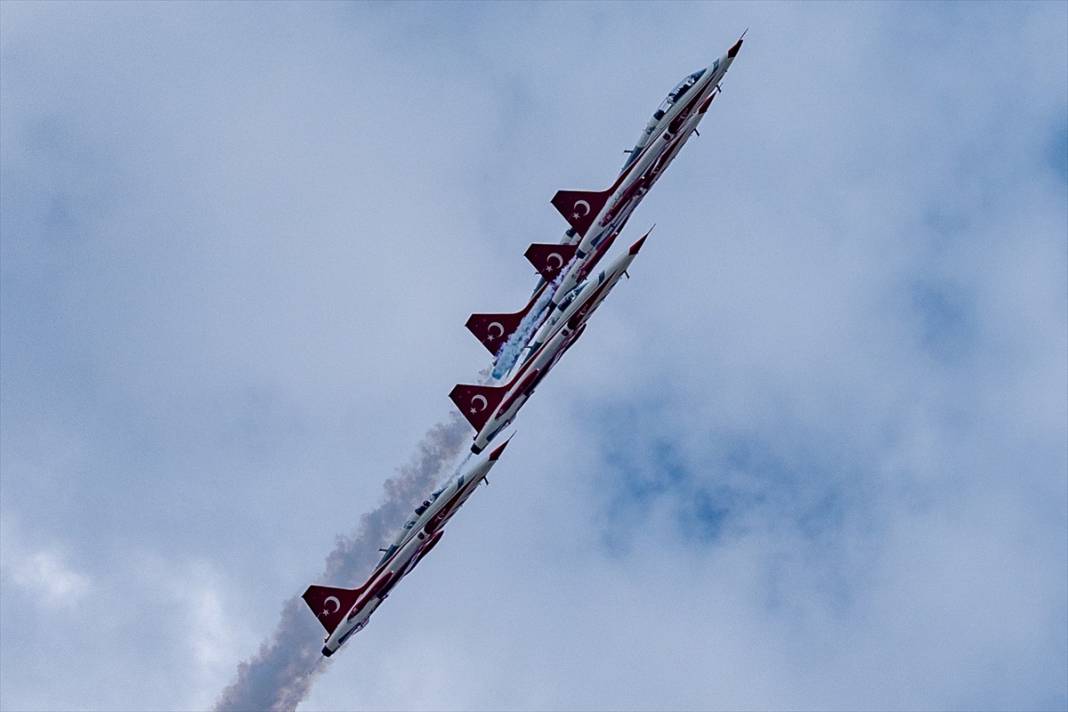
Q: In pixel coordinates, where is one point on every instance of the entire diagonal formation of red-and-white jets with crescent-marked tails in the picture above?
(526, 345)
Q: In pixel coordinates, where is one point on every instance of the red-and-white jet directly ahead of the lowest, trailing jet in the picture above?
(490, 409)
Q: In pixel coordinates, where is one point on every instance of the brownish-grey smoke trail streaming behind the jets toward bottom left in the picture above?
(281, 674)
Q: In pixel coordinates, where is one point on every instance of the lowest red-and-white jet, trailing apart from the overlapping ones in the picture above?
(344, 612)
